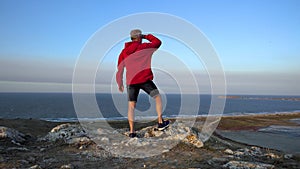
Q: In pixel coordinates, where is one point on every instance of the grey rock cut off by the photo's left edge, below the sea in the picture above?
(15, 136)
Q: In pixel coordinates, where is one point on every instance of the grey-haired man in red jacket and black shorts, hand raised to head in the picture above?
(136, 58)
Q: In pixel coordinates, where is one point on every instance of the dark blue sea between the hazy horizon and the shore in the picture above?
(59, 107)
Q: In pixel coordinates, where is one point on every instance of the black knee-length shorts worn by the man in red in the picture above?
(133, 90)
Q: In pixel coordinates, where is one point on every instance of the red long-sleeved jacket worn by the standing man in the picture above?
(136, 57)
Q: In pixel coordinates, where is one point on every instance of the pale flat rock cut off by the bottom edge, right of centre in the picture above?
(247, 165)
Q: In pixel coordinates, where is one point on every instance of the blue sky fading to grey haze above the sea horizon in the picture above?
(257, 42)
